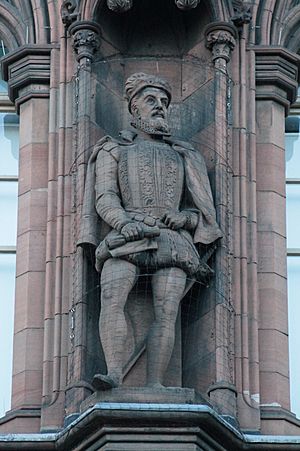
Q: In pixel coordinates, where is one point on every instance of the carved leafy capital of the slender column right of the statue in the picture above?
(220, 39)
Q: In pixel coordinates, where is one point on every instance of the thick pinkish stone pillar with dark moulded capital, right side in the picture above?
(276, 87)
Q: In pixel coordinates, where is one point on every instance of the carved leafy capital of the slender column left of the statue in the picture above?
(86, 38)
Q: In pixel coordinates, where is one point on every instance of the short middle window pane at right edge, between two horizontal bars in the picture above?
(293, 215)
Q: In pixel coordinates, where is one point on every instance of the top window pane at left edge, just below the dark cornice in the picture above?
(9, 144)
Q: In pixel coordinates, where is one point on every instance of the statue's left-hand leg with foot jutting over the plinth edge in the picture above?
(117, 280)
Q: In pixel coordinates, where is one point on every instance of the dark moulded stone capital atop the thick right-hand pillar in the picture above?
(277, 74)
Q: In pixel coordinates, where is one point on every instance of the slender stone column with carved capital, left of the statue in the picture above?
(85, 40)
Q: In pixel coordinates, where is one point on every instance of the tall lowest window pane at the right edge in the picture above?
(294, 331)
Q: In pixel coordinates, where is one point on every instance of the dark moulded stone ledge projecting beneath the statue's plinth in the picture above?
(145, 427)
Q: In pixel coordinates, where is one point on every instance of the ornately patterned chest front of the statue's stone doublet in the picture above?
(151, 177)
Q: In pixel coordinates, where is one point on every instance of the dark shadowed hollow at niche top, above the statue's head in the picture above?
(153, 27)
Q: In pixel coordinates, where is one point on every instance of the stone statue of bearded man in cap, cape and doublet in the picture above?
(148, 204)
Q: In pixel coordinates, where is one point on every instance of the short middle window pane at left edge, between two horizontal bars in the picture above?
(8, 208)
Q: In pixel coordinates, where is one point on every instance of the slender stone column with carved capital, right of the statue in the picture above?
(220, 39)
